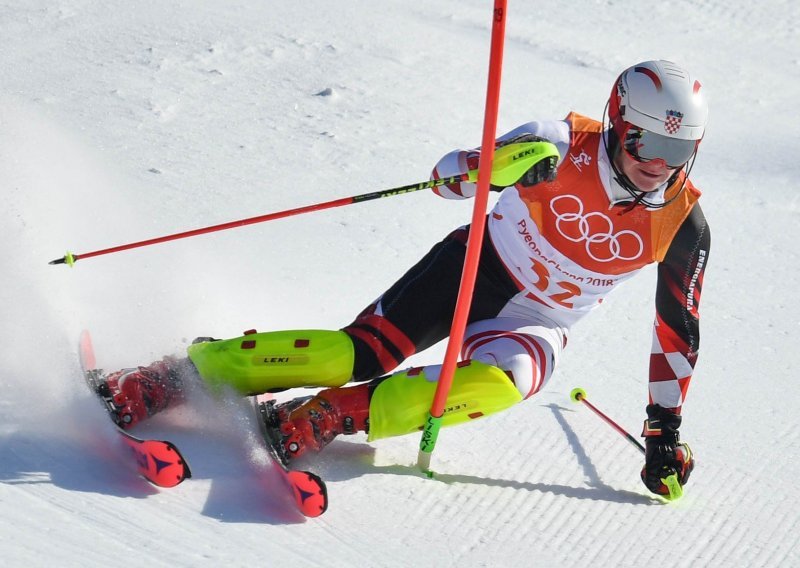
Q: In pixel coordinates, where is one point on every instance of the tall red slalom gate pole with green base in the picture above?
(434, 421)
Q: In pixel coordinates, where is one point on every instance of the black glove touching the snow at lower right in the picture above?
(665, 454)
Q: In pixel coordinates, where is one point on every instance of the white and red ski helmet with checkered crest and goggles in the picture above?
(657, 110)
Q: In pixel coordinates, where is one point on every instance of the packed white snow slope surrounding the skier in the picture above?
(121, 121)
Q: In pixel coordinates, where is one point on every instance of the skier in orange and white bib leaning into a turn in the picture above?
(557, 242)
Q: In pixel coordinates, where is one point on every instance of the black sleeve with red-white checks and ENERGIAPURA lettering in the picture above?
(676, 332)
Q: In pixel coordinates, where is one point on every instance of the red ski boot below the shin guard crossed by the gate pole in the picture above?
(301, 424)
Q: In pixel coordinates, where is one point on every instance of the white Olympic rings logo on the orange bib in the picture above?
(595, 230)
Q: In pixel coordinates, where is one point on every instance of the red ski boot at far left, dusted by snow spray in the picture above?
(131, 395)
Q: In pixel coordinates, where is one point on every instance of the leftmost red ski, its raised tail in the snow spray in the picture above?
(158, 461)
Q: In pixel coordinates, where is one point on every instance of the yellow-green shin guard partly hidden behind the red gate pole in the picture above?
(400, 404)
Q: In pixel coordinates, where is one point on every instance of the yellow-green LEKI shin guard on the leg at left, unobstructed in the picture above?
(277, 360)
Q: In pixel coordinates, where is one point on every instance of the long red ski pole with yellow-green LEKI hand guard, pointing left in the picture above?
(514, 160)
